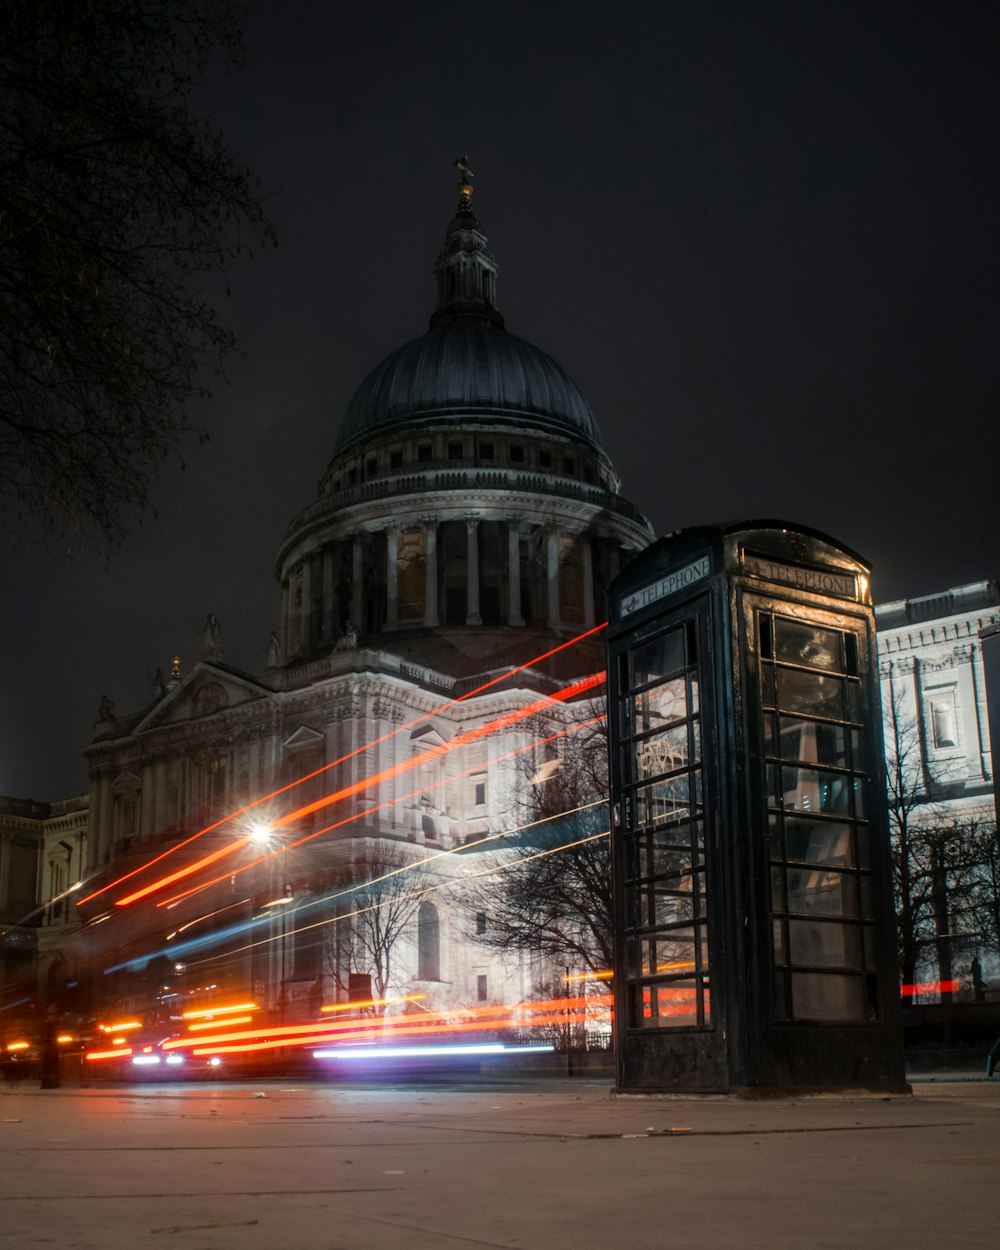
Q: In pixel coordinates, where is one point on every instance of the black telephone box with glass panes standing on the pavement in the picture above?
(753, 903)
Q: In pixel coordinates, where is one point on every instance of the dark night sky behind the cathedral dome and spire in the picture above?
(762, 238)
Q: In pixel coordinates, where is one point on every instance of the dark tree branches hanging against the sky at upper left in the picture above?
(119, 212)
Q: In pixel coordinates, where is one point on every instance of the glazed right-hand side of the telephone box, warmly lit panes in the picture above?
(819, 876)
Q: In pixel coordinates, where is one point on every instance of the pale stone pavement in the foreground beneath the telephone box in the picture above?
(543, 1164)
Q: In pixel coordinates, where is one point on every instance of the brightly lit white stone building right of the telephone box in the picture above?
(937, 711)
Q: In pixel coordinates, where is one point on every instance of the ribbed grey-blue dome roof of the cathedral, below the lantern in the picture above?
(469, 371)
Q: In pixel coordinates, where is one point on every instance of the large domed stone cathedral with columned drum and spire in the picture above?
(437, 637)
